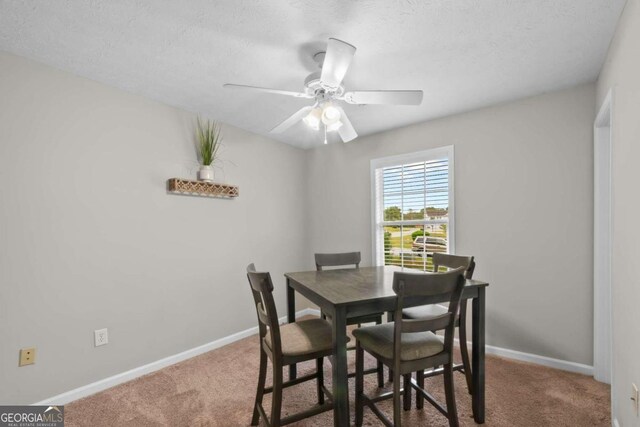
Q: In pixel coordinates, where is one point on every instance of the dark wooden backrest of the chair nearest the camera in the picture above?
(447, 285)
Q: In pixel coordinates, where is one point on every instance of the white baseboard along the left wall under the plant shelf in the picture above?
(89, 389)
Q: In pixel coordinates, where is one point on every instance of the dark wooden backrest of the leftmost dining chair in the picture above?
(262, 291)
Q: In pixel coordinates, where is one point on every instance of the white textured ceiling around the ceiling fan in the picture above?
(463, 54)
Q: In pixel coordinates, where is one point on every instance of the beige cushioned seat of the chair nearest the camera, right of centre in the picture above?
(379, 339)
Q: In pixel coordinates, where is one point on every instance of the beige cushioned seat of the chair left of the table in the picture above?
(304, 337)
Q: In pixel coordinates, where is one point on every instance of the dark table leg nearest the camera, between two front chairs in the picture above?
(340, 379)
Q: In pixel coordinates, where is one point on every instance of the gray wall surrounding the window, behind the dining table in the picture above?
(524, 202)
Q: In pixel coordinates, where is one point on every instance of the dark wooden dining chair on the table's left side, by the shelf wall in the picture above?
(285, 345)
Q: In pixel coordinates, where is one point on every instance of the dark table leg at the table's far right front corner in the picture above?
(477, 350)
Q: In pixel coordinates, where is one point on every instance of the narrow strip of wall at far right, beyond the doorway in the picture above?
(622, 73)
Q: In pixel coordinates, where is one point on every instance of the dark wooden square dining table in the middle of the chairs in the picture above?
(345, 293)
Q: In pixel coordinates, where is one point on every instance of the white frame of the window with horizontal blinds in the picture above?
(377, 210)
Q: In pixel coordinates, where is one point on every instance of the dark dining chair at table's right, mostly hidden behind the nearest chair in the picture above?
(433, 310)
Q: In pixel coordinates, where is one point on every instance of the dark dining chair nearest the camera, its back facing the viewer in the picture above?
(411, 345)
